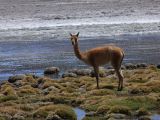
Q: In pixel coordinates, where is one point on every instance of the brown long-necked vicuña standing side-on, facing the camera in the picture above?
(100, 56)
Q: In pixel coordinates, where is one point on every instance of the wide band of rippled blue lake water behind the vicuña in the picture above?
(19, 57)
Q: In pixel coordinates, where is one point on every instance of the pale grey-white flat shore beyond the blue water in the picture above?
(55, 19)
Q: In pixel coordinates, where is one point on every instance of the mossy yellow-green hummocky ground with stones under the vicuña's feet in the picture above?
(32, 97)
